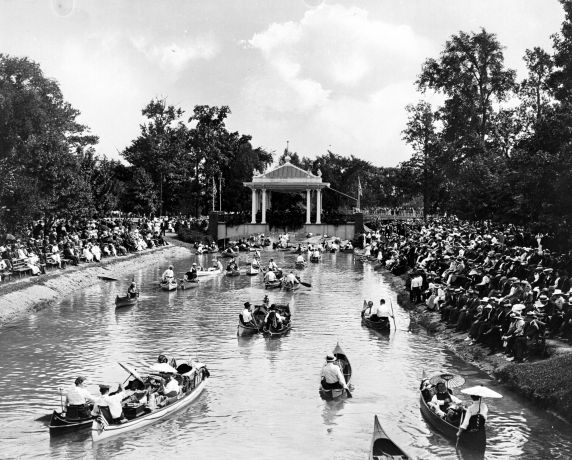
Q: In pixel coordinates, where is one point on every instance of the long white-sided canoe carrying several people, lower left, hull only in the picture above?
(102, 429)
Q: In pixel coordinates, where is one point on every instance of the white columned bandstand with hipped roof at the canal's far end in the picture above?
(287, 178)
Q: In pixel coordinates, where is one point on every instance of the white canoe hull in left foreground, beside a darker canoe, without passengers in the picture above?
(100, 429)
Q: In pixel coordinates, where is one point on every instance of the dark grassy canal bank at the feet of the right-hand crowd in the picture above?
(546, 382)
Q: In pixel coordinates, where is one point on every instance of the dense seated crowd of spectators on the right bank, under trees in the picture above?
(500, 284)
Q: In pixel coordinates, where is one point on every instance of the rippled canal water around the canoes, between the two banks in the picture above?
(262, 399)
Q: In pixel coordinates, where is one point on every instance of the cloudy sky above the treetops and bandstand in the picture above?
(323, 75)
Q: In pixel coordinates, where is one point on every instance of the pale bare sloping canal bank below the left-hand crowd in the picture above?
(20, 296)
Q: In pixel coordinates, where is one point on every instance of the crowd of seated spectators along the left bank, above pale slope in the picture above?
(77, 241)
